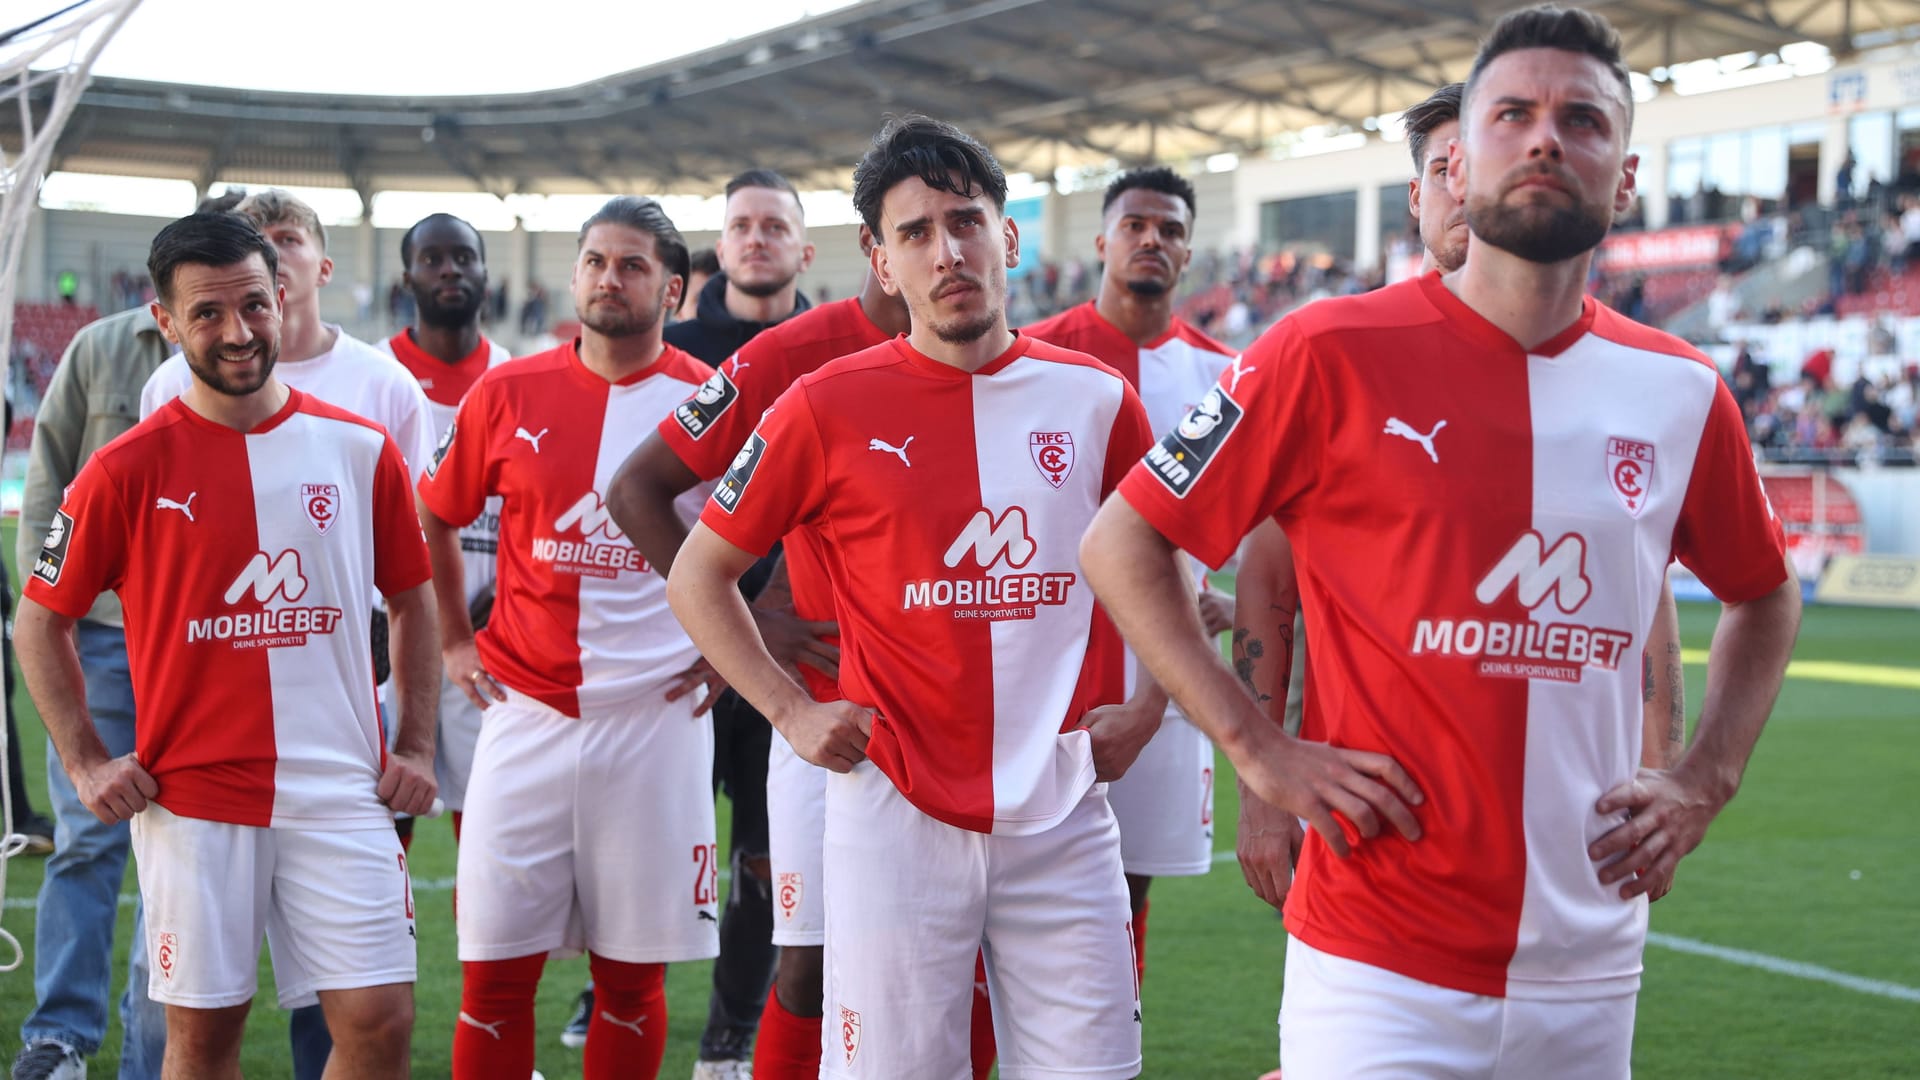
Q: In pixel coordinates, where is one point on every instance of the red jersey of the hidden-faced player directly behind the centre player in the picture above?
(708, 430)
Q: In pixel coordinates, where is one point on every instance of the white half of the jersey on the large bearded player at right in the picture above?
(1595, 391)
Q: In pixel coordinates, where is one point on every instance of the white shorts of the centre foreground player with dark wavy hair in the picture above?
(913, 900)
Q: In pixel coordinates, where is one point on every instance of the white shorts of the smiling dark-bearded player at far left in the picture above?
(335, 908)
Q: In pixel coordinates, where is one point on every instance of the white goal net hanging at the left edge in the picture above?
(45, 66)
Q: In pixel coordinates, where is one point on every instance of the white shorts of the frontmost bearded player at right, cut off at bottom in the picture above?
(1353, 1021)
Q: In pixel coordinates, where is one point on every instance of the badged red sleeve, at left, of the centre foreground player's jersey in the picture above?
(777, 479)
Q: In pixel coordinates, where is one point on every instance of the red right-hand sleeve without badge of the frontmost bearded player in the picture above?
(1729, 533)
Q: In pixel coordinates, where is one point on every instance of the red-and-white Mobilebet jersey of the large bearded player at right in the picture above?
(1481, 535)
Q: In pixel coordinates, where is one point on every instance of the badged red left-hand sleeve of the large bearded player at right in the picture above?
(1245, 453)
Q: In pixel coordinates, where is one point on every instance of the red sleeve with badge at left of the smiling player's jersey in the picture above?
(85, 551)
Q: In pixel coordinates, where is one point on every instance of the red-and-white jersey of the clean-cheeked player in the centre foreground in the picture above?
(951, 510)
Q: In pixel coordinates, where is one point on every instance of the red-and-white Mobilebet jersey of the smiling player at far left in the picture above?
(243, 562)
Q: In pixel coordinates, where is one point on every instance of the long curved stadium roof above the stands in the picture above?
(1045, 84)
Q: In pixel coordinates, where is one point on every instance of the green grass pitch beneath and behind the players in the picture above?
(1815, 864)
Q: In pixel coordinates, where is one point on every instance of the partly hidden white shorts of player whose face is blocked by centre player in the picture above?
(796, 829)
